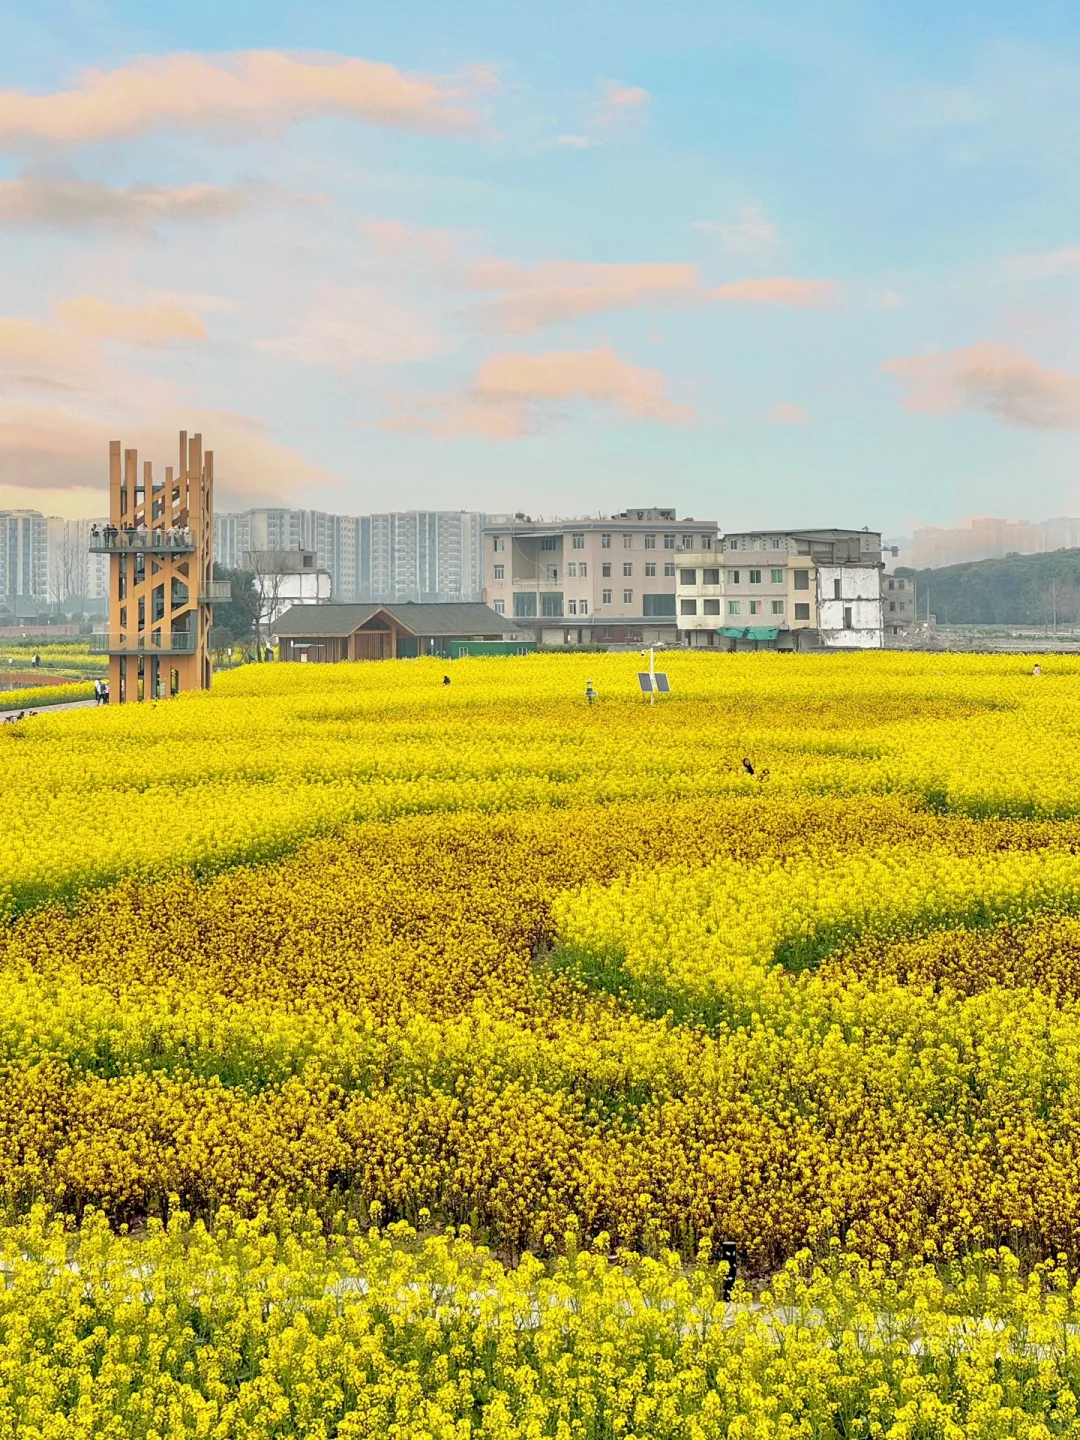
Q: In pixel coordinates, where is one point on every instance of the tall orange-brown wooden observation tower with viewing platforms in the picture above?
(162, 590)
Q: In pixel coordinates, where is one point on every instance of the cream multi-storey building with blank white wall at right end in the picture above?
(788, 590)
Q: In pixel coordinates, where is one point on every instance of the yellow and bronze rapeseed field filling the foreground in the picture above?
(385, 1058)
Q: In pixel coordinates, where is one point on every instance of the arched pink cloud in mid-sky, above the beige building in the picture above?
(512, 395)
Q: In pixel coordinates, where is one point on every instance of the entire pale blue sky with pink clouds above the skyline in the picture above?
(797, 266)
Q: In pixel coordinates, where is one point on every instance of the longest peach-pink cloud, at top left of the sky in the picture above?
(248, 90)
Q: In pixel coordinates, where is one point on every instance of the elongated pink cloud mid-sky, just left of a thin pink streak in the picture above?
(561, 290)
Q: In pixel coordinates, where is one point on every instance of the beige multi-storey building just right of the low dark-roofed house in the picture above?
(600, 580)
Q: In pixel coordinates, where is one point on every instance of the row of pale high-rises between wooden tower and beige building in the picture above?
(390, 558)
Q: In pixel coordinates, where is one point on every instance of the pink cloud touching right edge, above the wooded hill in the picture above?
(999, 381)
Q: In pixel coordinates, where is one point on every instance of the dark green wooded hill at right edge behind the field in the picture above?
(1019, 590)
